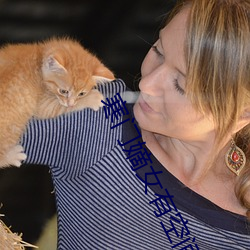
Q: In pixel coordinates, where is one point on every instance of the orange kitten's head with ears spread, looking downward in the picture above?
(69, 71)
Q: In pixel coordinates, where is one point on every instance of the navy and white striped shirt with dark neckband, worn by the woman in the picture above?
(113, 194)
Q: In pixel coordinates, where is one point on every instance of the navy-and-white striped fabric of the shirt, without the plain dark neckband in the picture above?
(101, 204)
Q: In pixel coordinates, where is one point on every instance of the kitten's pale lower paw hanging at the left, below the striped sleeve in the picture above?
(15, 156)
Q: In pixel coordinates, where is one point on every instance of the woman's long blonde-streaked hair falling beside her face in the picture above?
(217, 53)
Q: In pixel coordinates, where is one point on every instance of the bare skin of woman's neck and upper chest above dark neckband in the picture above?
(191, 166)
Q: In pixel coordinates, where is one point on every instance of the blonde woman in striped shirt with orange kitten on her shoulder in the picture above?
(173, 177)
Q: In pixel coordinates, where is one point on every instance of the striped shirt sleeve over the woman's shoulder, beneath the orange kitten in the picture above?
(85, 132)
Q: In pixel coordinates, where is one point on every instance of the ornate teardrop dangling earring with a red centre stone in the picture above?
(235, 158)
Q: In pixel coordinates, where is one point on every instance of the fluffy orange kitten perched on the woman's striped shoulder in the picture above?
(44, 80)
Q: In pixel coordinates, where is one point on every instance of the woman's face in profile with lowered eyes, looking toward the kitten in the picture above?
(163, 106)
